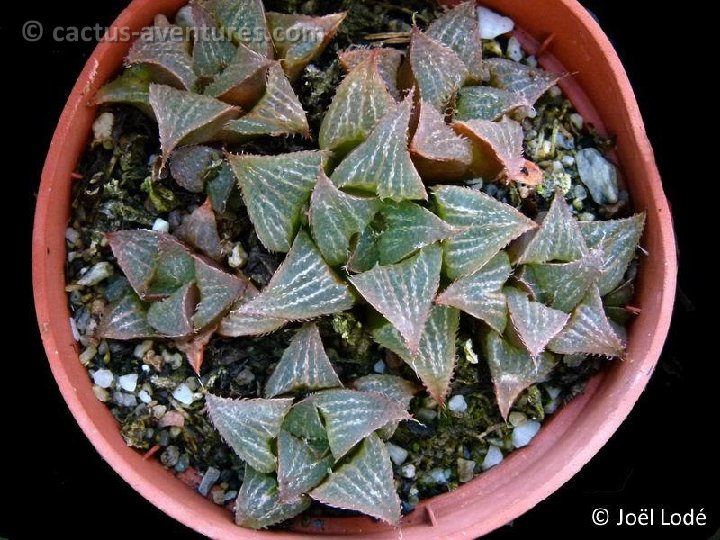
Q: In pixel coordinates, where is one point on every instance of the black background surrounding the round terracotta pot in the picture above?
(662, 456)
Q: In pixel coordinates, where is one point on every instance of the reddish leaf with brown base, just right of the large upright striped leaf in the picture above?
(438, 152)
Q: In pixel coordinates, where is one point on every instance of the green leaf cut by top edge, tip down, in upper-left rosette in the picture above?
(245, 21)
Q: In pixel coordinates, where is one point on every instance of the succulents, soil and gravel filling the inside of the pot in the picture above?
(311, 241)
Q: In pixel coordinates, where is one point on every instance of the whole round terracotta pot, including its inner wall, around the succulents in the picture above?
(568, 441)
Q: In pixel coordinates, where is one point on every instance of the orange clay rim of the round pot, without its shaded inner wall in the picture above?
(165, 491)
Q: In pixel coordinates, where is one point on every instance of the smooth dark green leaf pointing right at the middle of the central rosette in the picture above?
(409, 227)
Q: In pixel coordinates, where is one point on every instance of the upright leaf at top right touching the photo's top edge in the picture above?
(458, 29)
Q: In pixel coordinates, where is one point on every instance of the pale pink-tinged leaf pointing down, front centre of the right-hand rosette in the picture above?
(534, 323)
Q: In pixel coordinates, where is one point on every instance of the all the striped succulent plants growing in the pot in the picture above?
(377, 219)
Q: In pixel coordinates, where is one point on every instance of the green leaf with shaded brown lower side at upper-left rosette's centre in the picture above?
(244, 80)
